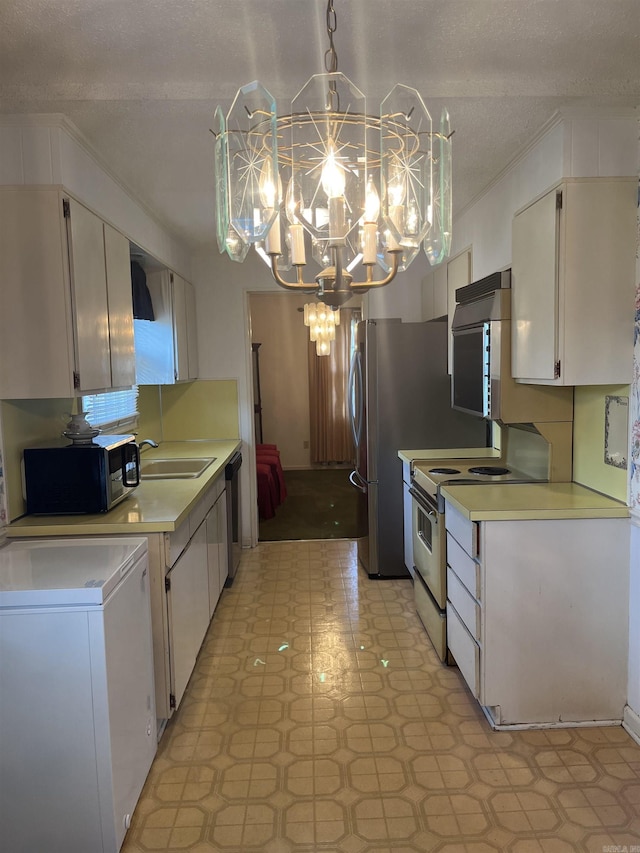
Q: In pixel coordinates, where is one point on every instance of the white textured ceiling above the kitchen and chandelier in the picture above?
(141, 78)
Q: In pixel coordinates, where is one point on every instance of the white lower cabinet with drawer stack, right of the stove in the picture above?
(537, 617)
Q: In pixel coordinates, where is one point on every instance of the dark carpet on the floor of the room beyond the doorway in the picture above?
(320, 504)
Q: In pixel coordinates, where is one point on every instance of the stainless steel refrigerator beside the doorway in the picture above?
(399, 399)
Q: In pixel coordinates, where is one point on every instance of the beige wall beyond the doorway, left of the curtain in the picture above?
(278, 326)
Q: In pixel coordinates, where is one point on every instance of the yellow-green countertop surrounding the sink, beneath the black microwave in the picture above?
(154, 507)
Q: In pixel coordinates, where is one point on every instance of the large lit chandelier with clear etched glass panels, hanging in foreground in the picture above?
(359, 193)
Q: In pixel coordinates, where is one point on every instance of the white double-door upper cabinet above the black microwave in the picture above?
(67, 324)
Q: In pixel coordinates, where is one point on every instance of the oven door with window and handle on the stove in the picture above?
(429, 544)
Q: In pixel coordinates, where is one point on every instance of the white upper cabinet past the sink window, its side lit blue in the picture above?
(166, 348)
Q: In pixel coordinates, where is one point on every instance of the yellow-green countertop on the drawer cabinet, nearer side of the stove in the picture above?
(522, 501)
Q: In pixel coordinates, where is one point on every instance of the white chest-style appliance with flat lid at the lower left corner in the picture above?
(77, 710)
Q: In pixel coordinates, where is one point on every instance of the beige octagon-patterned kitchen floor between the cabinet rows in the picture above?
(319, 719)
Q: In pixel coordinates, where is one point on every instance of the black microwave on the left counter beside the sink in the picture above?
(67, 478)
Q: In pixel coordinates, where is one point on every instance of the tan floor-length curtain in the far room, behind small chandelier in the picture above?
(330, 435)
